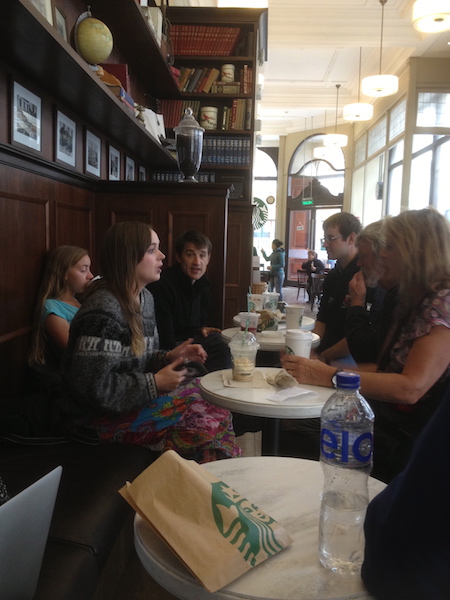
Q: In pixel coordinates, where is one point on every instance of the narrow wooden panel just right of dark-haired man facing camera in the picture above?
(238, 259)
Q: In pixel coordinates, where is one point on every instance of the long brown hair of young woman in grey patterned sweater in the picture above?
(123, 247)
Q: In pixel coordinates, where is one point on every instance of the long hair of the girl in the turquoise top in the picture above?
(58, 262)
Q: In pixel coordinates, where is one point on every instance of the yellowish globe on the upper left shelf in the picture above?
(94, 40)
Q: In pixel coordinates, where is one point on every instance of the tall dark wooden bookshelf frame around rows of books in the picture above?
(228, 165)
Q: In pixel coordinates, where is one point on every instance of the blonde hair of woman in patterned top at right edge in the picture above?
(422, 238)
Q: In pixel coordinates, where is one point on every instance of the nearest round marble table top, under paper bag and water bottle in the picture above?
(288, 489)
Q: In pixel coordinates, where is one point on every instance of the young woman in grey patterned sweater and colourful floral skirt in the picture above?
(119, 383)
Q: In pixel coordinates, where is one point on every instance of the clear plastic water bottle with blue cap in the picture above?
(346, 438)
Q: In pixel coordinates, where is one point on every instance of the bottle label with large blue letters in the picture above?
(345, 447)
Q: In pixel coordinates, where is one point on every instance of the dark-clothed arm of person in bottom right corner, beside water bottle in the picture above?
(407, 552)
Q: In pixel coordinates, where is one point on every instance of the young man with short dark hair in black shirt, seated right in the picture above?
(340, 232)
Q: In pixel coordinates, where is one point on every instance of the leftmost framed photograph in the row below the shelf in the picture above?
(26, 121)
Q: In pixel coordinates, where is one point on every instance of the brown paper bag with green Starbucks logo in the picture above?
(216, 532)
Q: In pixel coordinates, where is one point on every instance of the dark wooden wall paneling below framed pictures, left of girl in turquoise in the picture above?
(32, 220)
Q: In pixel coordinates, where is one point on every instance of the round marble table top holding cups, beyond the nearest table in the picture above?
(253, 401)
